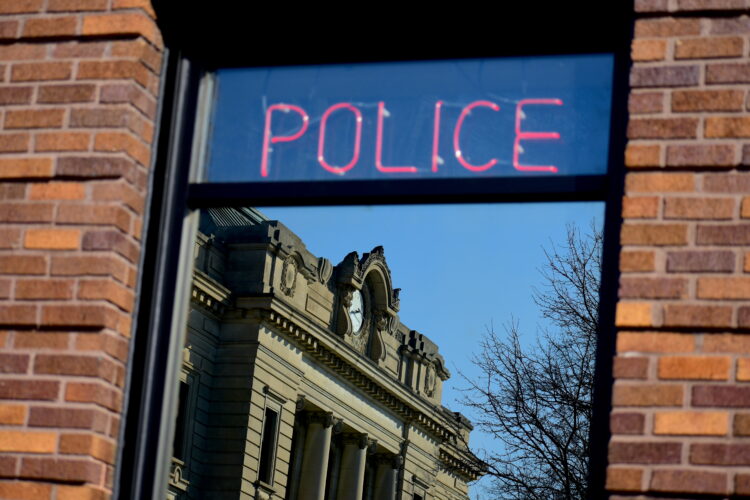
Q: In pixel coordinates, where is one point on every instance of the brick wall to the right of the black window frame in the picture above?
(681, 418)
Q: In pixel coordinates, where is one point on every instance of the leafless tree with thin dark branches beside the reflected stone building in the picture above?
(536, 401)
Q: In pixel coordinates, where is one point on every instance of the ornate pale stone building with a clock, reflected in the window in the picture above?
(299, 381)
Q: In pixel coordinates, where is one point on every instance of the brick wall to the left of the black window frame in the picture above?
(78, 85)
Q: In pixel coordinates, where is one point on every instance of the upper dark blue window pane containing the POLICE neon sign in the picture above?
(498, 118)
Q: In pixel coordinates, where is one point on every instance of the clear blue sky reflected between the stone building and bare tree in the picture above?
(461, 268)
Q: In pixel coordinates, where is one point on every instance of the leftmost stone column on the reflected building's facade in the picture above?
(312, 483)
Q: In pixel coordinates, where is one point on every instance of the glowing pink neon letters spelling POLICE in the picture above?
(463, 123)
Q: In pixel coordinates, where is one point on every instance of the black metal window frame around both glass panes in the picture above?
(148, 402)
